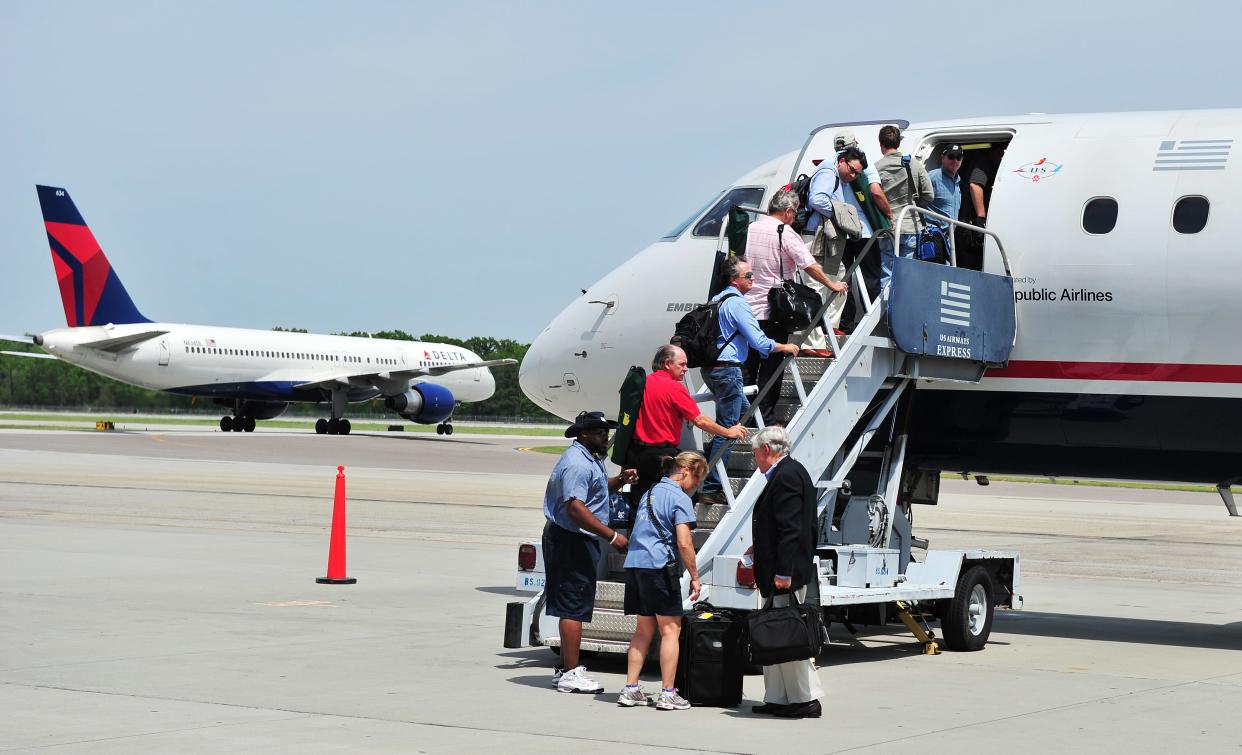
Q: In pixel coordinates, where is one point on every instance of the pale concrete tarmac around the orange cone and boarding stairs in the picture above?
(161, 597)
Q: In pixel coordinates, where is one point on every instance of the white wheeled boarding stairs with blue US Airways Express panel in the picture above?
(845, 418)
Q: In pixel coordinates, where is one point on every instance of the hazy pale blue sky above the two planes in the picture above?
(466, 168)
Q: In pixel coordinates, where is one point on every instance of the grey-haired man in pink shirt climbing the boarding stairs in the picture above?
(773, 249)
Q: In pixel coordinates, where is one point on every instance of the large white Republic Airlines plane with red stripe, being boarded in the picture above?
(1123, 243)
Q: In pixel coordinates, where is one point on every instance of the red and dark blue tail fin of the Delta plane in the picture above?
(90, 289)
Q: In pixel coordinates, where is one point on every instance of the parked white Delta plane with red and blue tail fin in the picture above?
(256, 373)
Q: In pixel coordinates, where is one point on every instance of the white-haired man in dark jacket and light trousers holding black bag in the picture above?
(783, 532)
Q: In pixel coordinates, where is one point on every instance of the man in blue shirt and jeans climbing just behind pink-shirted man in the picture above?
(740, 333)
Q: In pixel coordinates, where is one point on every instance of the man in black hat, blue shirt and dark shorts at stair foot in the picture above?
(577, 509)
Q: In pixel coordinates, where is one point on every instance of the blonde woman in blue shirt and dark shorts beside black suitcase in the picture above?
(665, 516)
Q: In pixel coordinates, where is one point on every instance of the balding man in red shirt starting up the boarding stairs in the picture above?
(666, 404)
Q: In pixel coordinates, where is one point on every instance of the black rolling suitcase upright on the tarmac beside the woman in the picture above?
(711, 665)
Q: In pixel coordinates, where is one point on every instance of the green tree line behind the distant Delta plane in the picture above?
(55, 384)
